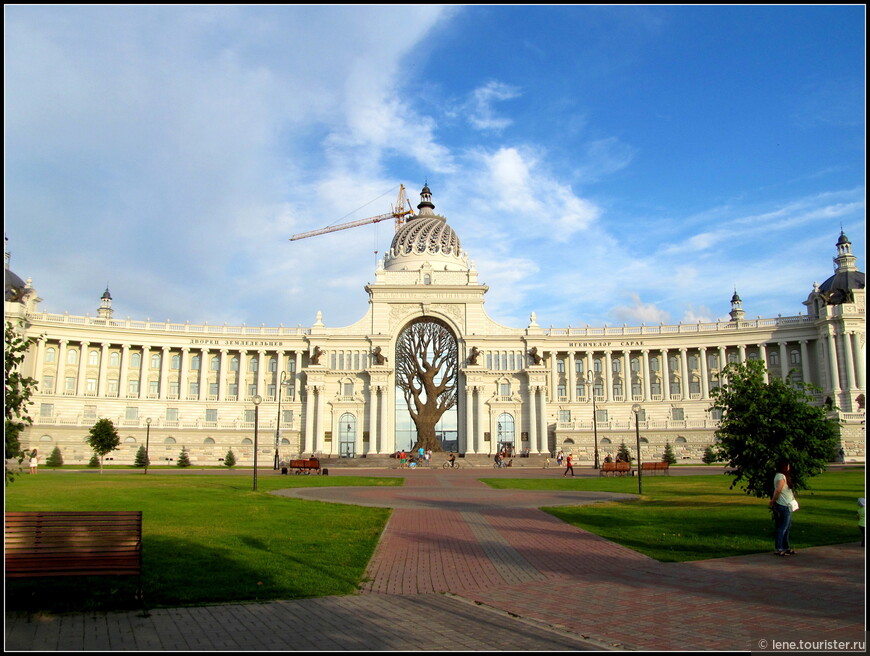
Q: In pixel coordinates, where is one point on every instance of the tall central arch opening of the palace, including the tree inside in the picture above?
(427, 365)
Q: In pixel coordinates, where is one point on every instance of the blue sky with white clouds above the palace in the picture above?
(601, 165)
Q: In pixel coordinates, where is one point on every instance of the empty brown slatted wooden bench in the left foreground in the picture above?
(99, 543)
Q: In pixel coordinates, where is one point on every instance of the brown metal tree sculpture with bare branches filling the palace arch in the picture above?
(426, 371)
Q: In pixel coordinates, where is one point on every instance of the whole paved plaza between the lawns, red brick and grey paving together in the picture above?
(463, 567)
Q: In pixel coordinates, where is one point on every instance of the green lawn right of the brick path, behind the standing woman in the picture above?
(682, 518)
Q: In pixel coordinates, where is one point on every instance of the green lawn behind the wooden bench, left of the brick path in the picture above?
(209, 538)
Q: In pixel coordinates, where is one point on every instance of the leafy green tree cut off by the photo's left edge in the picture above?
(19, 389)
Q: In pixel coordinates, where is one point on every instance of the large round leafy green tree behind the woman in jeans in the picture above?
(764, 423)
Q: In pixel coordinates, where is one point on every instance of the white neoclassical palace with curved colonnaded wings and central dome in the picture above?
(332, 390)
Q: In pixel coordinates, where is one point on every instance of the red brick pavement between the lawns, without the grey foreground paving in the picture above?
(524, 561)
